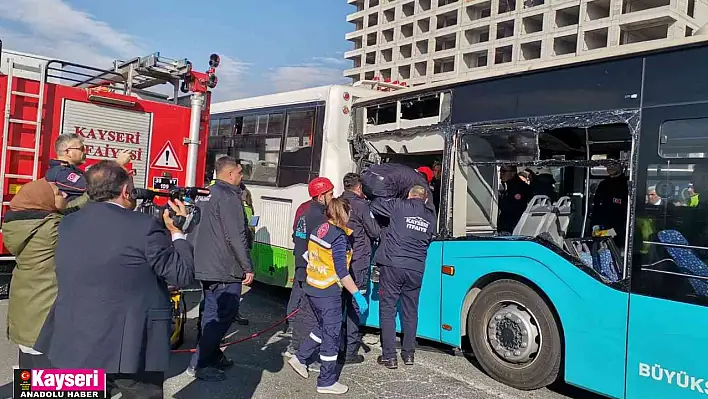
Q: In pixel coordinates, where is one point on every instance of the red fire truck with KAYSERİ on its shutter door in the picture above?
(112, 109)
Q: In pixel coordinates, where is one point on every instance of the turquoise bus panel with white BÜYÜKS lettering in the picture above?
(665, 353)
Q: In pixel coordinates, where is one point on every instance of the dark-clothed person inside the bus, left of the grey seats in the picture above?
(512, 200)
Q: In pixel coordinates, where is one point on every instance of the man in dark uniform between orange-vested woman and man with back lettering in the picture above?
(364, 231)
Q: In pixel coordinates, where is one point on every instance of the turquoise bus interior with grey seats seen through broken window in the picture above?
(563, 165)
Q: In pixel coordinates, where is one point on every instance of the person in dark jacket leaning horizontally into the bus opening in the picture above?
(393, 180)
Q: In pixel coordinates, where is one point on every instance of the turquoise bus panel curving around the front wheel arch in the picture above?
(592, 315)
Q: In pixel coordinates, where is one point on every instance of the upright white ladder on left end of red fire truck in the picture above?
(10, 123)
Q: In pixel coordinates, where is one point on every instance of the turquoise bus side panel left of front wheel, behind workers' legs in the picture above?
(429, 305)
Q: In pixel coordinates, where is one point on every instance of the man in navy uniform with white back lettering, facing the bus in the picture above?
(401, 261)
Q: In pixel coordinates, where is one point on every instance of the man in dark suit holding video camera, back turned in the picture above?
(113, 265)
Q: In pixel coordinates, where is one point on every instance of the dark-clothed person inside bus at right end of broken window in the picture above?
(609, 209)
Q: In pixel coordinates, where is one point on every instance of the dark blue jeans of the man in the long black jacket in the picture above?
(221, 303)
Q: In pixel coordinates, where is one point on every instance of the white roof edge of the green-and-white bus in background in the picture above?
(320, 93)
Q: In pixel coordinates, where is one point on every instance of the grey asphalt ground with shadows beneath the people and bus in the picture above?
(261, 371)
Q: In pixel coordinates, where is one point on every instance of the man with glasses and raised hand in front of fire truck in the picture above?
(64, 170)
